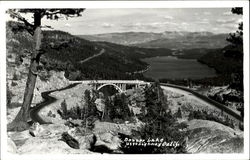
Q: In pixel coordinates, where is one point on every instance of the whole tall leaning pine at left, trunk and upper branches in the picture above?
(20, 121)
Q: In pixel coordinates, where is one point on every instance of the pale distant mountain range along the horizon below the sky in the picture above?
(168, 39)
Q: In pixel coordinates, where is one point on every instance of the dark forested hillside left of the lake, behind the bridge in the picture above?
(64, 52)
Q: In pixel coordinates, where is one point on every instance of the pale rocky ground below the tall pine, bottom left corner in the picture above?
(48, 143)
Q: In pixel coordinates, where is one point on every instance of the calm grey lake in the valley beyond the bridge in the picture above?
(171, 67)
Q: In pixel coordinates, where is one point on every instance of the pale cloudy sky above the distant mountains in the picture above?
(97, 21)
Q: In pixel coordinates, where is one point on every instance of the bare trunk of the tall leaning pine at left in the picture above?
(20, 122)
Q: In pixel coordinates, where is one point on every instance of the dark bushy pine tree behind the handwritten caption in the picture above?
(159, 123)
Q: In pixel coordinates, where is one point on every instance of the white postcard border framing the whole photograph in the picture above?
(122, 4)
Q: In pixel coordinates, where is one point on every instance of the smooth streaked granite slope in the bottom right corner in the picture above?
(212, 137)
